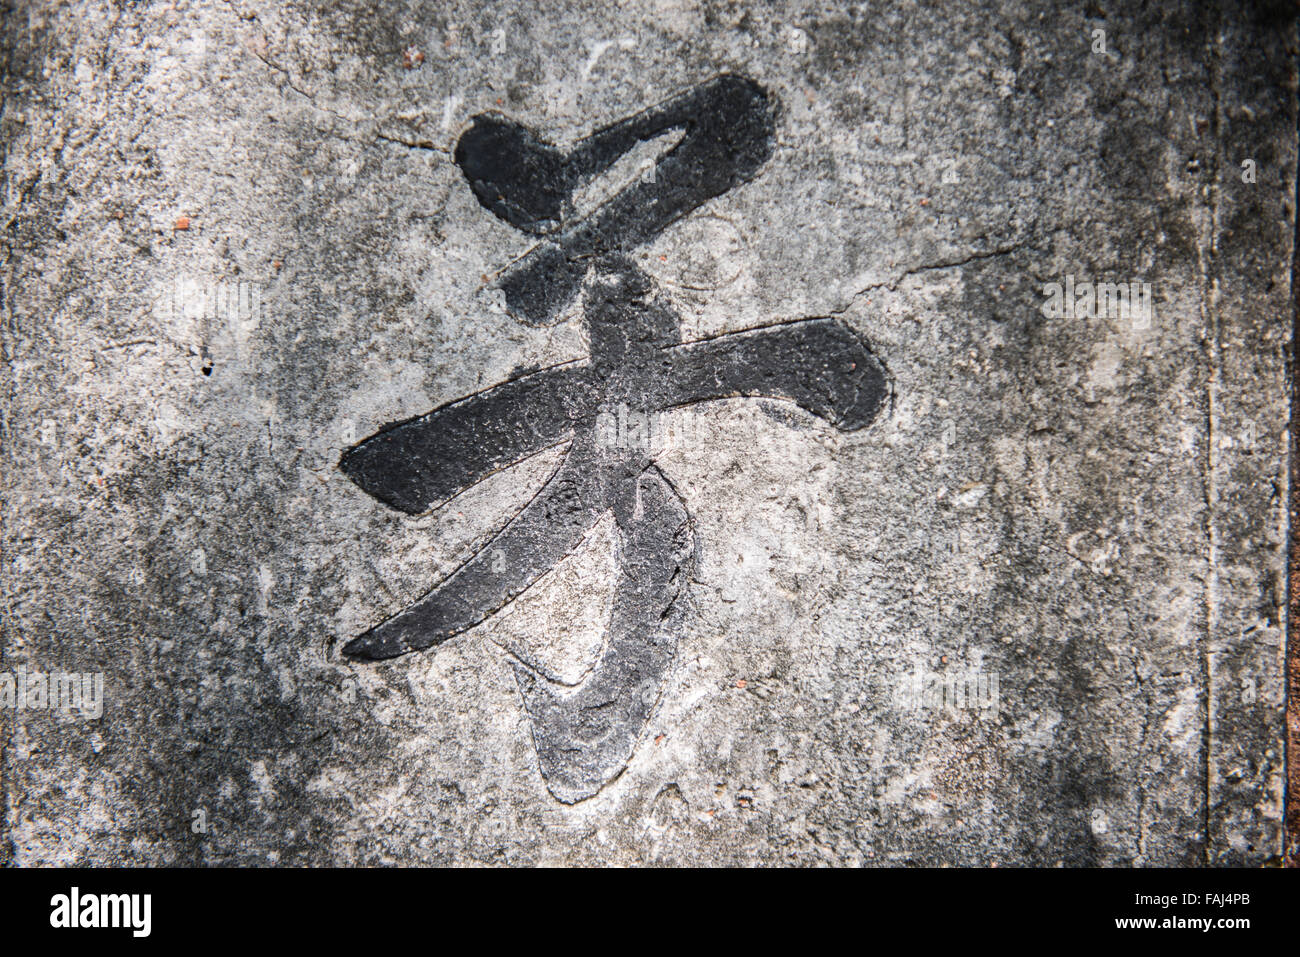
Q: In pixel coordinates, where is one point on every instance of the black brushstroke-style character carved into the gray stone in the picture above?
(586, 734)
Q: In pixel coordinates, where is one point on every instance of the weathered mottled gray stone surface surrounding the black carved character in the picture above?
(1091, 510)
